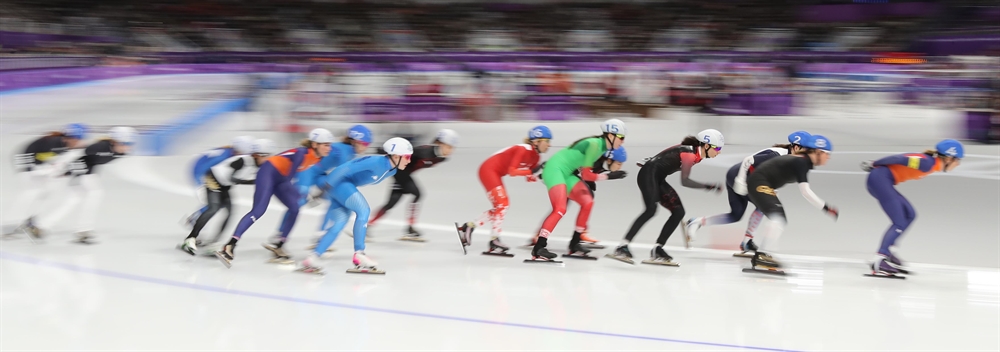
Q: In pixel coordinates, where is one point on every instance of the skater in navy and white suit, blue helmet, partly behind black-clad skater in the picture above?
(736, 187)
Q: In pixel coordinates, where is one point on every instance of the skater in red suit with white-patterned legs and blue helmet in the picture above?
(516, 160)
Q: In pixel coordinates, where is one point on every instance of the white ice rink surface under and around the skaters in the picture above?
(135, 291)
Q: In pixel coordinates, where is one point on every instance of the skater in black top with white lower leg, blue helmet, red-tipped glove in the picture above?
(774, 174)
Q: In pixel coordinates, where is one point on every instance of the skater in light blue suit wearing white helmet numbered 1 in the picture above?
(341, 188)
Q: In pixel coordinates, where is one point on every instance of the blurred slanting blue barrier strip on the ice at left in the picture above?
(159, 141)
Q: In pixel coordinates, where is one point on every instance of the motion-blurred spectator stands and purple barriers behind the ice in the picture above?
(305, 62)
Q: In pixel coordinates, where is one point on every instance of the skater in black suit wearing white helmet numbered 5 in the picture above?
(656, 191)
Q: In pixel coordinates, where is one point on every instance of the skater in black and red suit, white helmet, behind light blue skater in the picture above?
(423, 157)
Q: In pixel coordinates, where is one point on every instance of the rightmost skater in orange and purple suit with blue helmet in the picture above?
(885, 174)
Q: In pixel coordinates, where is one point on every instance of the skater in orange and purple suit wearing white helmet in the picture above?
(274, 178)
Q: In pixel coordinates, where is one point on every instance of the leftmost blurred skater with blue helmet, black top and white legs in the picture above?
(36, 169)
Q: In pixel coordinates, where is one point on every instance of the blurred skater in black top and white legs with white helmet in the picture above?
(81, 166)
